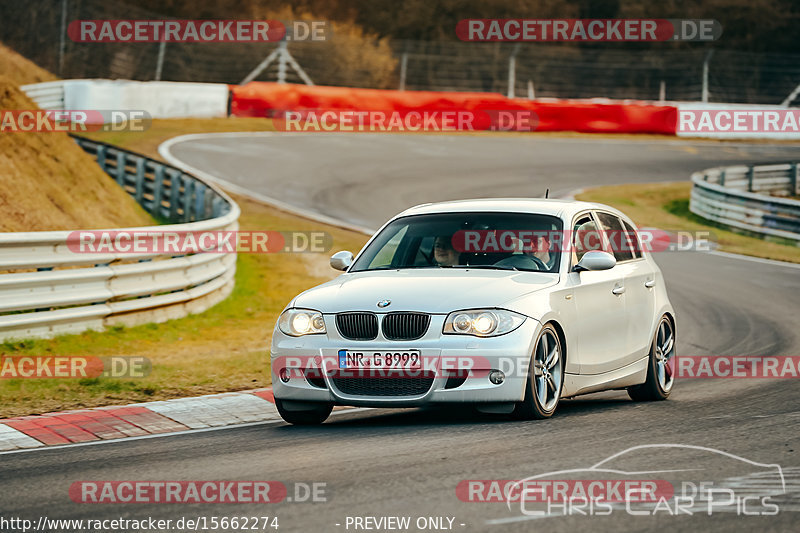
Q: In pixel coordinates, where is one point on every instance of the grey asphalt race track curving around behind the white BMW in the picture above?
(409, 462)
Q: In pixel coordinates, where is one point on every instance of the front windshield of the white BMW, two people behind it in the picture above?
(500, 241)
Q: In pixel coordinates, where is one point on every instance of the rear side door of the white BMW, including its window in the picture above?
(637, 278)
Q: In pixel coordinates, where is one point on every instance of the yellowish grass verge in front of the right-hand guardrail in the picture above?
(666, 206)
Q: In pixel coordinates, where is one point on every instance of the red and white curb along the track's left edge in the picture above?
(137, 420)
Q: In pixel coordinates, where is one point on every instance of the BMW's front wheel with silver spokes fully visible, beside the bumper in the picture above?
(545, 377)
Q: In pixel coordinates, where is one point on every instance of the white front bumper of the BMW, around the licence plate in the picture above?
(510, 353)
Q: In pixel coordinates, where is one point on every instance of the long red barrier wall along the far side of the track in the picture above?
(259, 99)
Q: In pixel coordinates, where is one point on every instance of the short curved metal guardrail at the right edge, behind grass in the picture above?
(738, 197)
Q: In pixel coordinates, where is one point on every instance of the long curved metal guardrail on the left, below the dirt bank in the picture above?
(47, 289)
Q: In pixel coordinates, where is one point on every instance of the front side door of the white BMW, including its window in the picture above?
(599, 300)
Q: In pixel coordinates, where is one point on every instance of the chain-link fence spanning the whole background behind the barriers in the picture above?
(652, 72)
